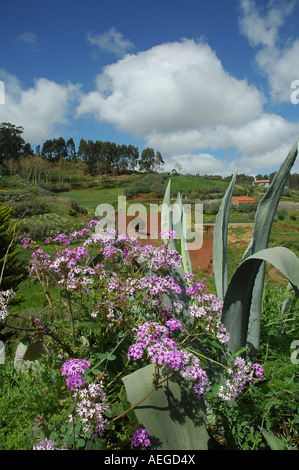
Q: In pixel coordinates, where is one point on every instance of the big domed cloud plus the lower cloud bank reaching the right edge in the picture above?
(180, 99)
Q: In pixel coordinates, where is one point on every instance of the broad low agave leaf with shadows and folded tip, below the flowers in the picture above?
(173, 416)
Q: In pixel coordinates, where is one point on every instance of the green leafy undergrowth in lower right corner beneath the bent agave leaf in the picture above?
(272, 407)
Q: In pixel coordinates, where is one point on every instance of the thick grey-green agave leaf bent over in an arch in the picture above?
(238, 298)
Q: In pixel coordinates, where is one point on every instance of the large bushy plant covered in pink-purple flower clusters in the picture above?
(119, 308)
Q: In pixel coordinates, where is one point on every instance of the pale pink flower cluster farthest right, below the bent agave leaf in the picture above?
(240, 374)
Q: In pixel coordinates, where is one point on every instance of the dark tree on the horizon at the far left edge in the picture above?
(11, 141)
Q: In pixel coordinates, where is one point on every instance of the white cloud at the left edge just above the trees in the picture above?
(38, 109)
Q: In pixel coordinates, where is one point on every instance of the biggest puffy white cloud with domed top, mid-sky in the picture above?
(176, 86)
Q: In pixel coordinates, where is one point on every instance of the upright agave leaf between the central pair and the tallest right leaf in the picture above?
(220, 241)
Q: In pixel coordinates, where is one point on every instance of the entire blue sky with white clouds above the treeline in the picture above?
(205, 82)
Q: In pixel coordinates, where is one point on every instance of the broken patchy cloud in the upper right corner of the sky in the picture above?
(279, 63)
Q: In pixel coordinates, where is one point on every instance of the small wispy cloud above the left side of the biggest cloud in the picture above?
(111, 41)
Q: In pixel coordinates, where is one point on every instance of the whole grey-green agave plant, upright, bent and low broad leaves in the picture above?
(242, 297)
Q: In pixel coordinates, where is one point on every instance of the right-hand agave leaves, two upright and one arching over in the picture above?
(243, 295)
